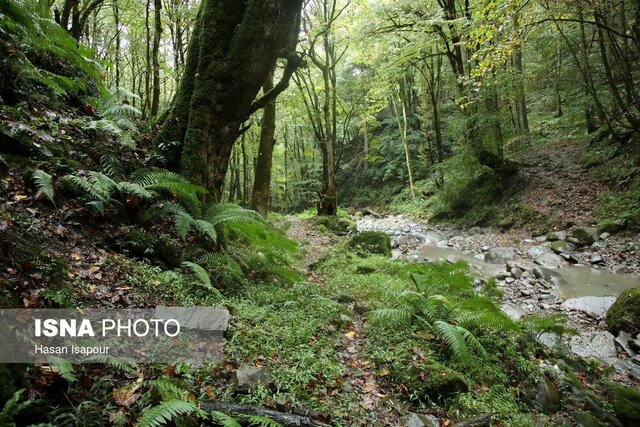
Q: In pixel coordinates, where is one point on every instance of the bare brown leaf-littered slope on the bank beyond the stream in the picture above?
(557, 185)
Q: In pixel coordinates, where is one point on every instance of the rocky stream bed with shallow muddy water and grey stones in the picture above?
(567, 271)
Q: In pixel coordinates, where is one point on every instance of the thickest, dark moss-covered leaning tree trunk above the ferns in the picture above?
(236, 45)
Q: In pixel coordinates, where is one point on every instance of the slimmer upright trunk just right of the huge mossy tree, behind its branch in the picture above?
(262, 179)
